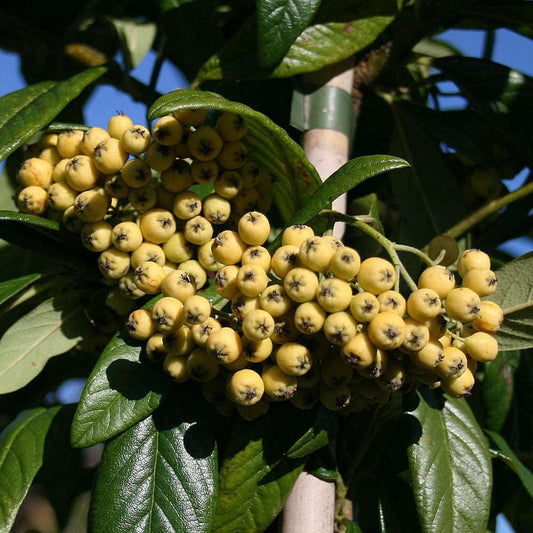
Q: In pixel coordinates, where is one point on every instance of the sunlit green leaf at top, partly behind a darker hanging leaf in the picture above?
(316, 47)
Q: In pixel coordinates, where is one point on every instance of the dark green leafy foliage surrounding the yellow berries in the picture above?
(422, 464)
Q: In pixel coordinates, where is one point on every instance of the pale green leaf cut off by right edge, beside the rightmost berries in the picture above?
(514, 294)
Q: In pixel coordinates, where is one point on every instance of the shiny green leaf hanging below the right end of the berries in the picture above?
(450, 467)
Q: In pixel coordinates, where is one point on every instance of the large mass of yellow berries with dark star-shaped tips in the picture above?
(309, 323)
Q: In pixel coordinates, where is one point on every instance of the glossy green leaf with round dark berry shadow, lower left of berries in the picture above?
(122, 389)
